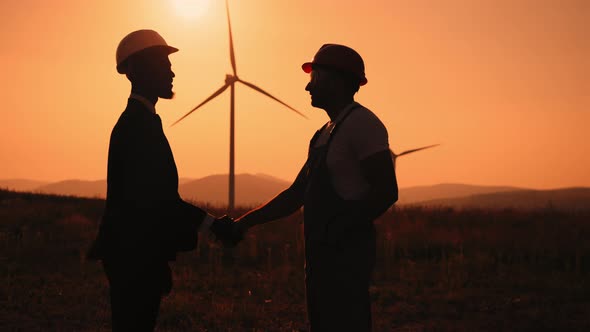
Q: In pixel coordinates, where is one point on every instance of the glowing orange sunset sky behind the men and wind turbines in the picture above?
(504, 85)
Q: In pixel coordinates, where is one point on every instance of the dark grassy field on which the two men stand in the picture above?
(438, 270)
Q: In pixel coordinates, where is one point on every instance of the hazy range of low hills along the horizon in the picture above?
(253, 189)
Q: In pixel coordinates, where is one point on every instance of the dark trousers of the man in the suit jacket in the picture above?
(136, 291)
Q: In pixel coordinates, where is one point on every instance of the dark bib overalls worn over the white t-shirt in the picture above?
(339, 251)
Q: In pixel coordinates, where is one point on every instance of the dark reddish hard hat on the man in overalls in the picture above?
(339, 57)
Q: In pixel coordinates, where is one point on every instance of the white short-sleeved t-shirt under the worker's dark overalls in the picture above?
(359, 135)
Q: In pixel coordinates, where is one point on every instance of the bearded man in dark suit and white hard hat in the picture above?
(145, 222)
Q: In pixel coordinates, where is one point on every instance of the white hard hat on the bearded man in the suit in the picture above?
(137, 41)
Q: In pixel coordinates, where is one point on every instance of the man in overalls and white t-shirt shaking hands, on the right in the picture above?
(347, 181)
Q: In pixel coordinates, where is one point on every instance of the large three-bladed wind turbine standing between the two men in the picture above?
(230, 80)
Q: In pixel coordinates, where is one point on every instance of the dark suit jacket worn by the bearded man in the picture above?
(144, 217)
